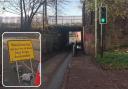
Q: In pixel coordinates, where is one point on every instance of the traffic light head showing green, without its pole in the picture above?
(103, 15)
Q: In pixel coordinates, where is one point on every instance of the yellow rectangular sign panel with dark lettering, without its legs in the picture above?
(20, 50)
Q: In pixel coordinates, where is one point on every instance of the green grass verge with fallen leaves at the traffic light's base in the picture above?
(113, 60)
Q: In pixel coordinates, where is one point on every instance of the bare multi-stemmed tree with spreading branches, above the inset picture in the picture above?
(26, 8)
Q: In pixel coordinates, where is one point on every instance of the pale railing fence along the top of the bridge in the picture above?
(61, 20)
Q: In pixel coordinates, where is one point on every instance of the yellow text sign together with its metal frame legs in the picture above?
(21, 50)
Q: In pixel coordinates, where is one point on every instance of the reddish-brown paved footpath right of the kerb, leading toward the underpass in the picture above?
(85, 74)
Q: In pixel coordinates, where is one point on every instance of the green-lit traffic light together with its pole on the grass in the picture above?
(103, 22)
